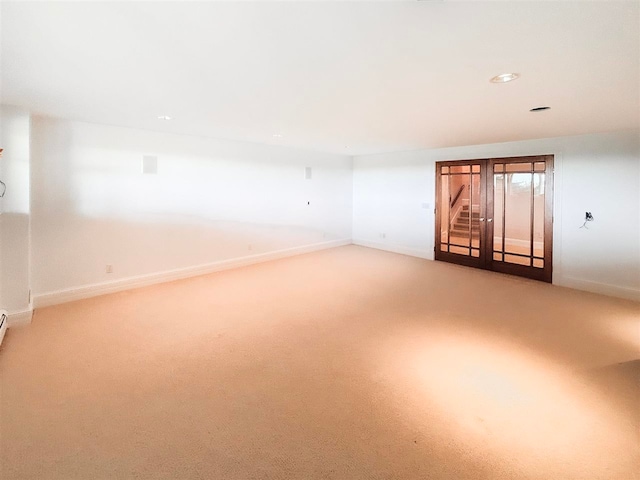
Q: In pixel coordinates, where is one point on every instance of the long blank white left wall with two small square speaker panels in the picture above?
(212, 201)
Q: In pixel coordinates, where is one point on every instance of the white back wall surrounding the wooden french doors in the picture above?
(394, 195)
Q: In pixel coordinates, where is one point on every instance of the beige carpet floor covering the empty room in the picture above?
(349, 363)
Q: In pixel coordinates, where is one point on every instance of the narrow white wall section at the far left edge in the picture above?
(14, 212)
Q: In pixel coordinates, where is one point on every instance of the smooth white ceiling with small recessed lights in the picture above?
(370, 76)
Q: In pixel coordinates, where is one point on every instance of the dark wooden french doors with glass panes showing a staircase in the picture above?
(496, 214)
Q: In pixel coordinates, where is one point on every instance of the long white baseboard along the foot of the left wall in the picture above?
(93, 290)
